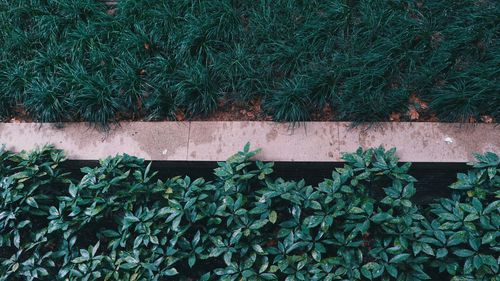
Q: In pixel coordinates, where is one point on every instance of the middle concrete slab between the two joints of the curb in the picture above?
(315, 141)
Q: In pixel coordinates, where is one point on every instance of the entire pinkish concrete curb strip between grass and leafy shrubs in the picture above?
(215, 141)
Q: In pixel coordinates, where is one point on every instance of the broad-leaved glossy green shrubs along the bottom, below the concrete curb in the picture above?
(117, 221)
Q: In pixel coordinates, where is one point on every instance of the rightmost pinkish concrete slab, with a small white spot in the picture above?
(425, 142)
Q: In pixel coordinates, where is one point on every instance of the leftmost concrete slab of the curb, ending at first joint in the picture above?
(162, 140)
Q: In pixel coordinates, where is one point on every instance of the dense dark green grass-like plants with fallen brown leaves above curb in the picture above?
(296, 60)
